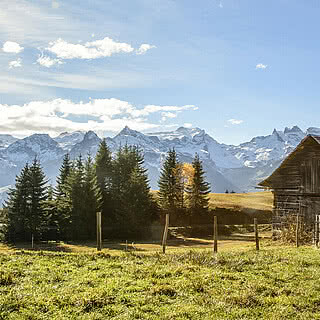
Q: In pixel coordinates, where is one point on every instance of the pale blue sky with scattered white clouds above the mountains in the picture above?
(235, 68)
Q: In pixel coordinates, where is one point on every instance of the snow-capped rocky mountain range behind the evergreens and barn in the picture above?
(237, 168)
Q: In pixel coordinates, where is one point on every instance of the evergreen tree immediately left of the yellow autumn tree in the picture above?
(170, 184)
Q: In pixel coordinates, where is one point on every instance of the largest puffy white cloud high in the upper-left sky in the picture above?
(90, 50)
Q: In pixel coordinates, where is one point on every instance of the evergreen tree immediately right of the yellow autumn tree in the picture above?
(198, 189)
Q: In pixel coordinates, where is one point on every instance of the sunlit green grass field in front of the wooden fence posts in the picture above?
(275, 283)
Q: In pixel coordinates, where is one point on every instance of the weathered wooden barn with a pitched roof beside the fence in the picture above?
(296, 184)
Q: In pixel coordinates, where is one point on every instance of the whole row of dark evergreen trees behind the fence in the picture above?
(116, 185)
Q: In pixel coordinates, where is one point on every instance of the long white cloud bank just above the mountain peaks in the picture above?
(59, 115)
